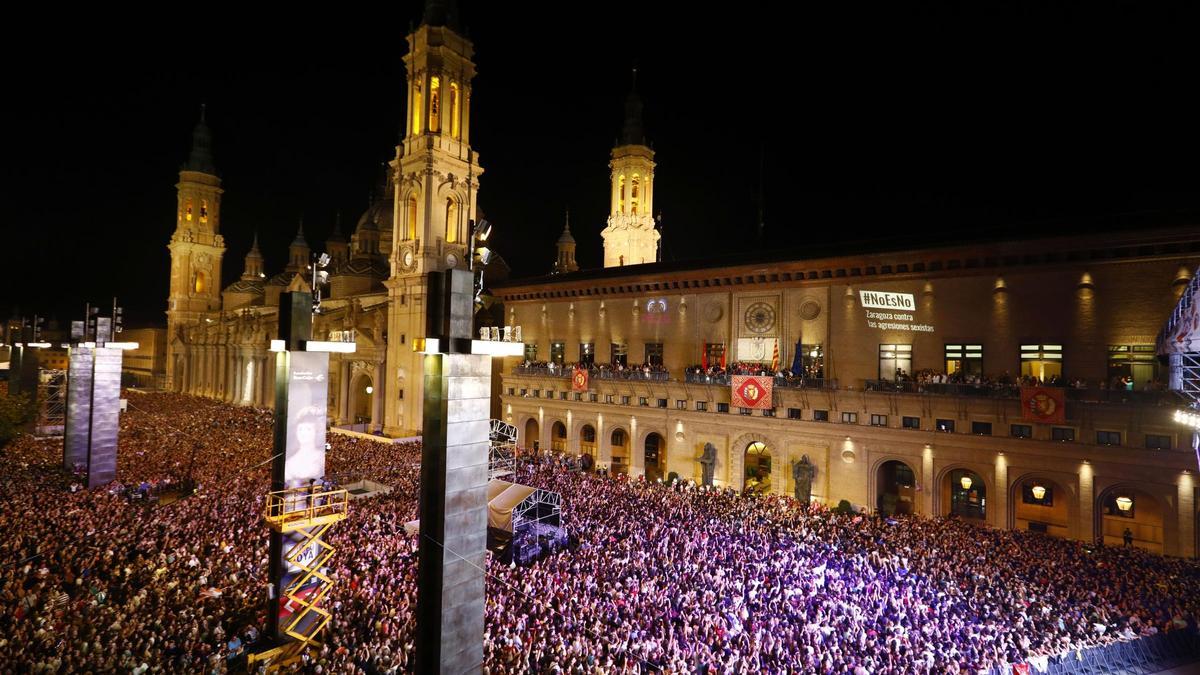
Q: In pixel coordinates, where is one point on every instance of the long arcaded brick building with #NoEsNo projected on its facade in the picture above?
(865, 339)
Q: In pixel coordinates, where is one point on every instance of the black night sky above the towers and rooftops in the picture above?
(921, 126)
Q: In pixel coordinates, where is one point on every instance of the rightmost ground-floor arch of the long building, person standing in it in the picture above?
(1151, 523)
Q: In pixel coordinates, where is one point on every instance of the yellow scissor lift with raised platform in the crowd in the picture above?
(310, 511)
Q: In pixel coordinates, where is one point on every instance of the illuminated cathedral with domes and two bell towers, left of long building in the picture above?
(218, 338)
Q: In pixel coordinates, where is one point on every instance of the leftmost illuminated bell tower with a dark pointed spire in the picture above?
(196, 248)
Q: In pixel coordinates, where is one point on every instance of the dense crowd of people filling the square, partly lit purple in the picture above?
(656, 580)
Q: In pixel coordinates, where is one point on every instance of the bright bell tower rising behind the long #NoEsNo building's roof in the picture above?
(631, 237)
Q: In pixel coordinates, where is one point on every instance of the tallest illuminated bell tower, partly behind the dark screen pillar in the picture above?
(436, 183)
